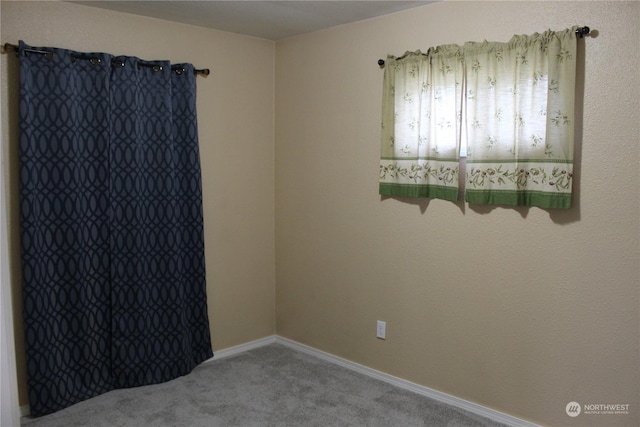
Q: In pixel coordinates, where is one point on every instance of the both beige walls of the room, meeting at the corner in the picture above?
(520, 310)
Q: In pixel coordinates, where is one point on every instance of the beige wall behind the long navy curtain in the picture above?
(235, 105)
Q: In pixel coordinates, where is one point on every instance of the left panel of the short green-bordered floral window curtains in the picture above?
(422, 97)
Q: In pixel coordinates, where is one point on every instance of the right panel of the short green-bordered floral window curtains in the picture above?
(520, 120)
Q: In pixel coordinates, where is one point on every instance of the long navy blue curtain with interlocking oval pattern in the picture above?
(111, 224)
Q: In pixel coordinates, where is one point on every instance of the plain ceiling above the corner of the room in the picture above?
(272, 20)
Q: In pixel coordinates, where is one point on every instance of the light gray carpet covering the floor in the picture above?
(272, 385)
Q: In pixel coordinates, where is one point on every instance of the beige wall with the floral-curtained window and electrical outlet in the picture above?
(520, 310)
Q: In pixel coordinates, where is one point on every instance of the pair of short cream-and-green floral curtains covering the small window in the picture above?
(510, 104)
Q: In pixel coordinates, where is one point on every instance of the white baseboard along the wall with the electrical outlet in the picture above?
(407, 385)
